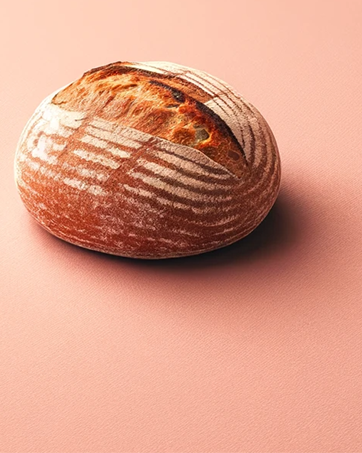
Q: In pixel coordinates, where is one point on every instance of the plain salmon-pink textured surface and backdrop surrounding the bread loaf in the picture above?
(254, 348)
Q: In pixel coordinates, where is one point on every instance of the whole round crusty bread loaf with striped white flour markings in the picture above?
(147, 160)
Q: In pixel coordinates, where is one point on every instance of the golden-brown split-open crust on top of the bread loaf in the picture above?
(164, 106)
